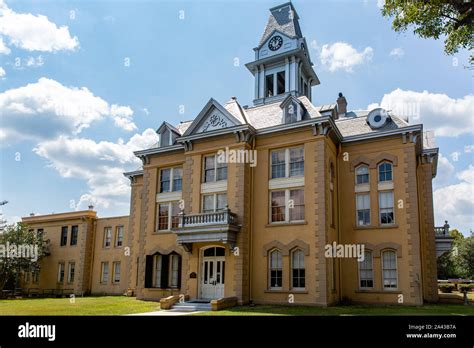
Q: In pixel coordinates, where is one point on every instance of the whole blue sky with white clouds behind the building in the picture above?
(129, 65)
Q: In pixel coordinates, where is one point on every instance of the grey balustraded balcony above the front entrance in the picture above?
(218, 226)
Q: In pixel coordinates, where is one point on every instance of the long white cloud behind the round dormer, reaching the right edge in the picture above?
(446, 116)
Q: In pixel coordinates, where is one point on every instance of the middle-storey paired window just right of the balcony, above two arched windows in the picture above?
(287, 205)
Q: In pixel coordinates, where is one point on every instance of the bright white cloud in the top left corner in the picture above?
(34, 33)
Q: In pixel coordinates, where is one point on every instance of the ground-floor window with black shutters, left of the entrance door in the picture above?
(166, 271)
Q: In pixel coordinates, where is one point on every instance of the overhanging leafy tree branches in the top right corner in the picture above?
(434, 18)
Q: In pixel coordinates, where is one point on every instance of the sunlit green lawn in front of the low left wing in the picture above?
(106, 305)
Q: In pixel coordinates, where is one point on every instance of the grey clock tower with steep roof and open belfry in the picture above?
(282, 65)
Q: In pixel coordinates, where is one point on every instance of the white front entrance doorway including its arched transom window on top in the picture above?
(212, 276)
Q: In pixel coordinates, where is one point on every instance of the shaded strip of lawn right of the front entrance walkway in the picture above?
(436, 309)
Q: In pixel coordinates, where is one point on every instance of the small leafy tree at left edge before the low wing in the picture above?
(21, 250)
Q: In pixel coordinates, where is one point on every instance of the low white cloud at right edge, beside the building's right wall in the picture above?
(454, 202)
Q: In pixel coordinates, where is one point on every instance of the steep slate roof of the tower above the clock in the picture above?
(284, 19)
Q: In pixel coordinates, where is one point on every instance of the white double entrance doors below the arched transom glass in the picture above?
(212, 277)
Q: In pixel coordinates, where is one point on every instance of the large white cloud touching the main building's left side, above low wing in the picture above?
(100, 164)
